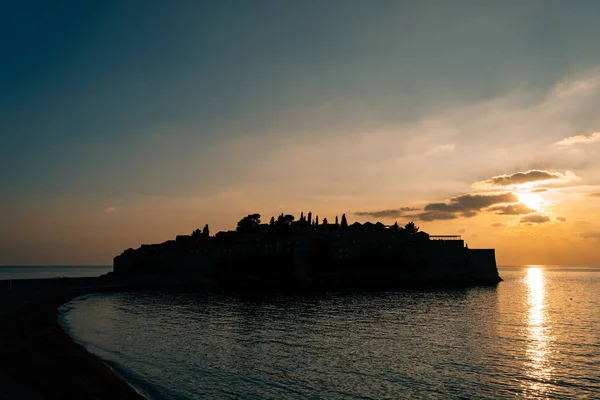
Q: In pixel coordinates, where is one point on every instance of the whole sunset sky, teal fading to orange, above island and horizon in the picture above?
(127, 122)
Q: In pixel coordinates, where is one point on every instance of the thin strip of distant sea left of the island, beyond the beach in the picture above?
(44, 272)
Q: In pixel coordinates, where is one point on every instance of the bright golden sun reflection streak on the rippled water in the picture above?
(538, 368)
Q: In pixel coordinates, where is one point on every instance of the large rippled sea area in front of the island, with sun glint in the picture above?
(535, 336)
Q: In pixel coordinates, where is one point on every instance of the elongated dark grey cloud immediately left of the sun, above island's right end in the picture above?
(469, 204)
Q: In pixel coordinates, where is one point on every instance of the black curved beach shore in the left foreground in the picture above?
(38, 359)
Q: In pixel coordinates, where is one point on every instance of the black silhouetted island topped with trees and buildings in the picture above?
(286, 253)
